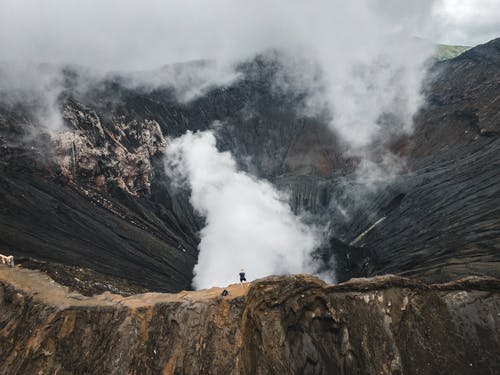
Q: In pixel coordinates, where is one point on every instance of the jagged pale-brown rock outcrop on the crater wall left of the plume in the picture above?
(119, 156)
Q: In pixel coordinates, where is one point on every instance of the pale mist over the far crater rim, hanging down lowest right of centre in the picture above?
(371, 54)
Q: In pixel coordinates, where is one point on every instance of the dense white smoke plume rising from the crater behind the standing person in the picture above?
(249, 223)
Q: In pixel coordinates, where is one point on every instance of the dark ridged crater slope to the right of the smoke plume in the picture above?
(442, 219)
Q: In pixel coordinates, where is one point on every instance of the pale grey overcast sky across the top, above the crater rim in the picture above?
(143, 34)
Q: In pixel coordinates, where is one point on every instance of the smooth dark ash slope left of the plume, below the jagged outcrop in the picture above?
(48, 216)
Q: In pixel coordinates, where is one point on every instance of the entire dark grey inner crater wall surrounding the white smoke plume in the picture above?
(96, 195)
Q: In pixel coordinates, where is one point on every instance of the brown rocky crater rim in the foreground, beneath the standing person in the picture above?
(277, 325)
